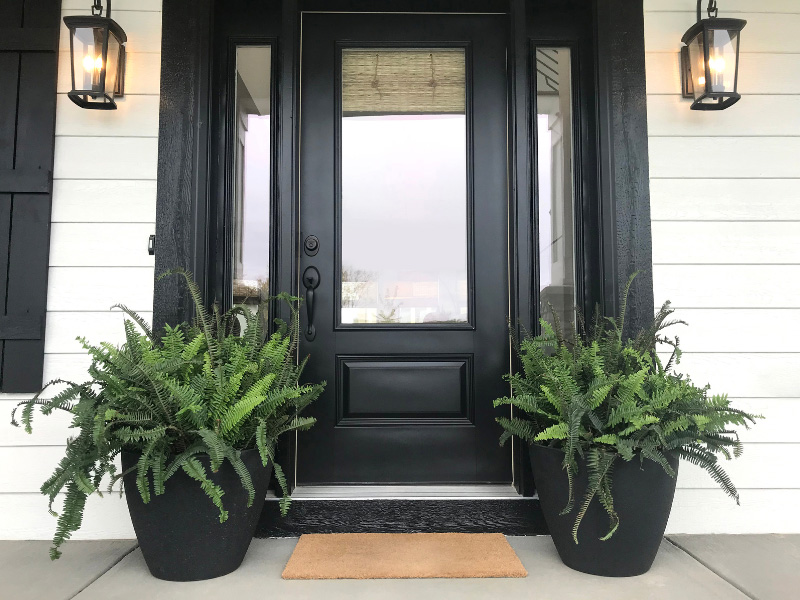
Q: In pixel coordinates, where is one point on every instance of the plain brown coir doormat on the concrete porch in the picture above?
(403, 556)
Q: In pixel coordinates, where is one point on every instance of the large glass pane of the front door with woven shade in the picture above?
(404, 186)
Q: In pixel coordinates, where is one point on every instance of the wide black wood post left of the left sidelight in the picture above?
(182, 198)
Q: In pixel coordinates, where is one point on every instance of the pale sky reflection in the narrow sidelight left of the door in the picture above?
(256, 198)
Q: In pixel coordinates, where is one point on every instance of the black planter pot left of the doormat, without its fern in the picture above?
(179, 532)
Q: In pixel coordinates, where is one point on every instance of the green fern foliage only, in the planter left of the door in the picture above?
(213, 388)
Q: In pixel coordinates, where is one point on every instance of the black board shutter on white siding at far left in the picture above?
(29, 33)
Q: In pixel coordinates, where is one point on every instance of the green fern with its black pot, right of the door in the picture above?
(607, 422)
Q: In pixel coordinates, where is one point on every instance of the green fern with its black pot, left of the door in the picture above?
(194, 415)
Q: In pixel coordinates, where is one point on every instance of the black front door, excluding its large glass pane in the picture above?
(456, 445)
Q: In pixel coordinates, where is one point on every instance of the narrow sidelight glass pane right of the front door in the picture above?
(555, 183)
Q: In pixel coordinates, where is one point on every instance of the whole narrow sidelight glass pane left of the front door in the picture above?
(252, 175)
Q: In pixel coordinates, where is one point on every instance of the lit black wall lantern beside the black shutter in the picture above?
(97, 49)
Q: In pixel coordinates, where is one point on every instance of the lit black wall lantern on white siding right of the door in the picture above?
(710, 60)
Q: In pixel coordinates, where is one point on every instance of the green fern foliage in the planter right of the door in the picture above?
(607, 397)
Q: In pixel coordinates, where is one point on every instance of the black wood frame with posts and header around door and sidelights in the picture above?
(615, 191)
